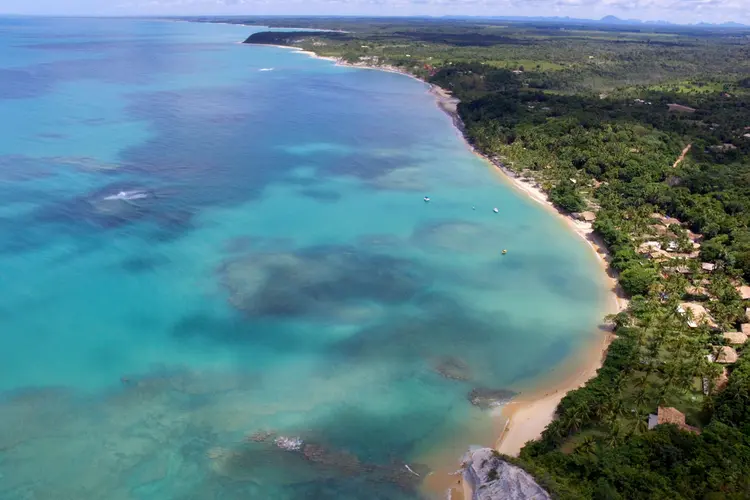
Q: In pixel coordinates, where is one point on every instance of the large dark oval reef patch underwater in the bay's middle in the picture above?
(332, 282)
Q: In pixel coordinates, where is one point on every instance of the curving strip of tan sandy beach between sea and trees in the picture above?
(529, 413)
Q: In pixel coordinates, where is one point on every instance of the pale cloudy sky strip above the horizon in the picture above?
(685, 11)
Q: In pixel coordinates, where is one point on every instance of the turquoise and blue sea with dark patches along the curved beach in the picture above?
(219, 278)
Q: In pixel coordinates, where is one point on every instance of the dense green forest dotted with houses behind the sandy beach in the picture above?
(649, 130)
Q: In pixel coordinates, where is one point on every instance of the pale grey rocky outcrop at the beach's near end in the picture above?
(492, 478)
